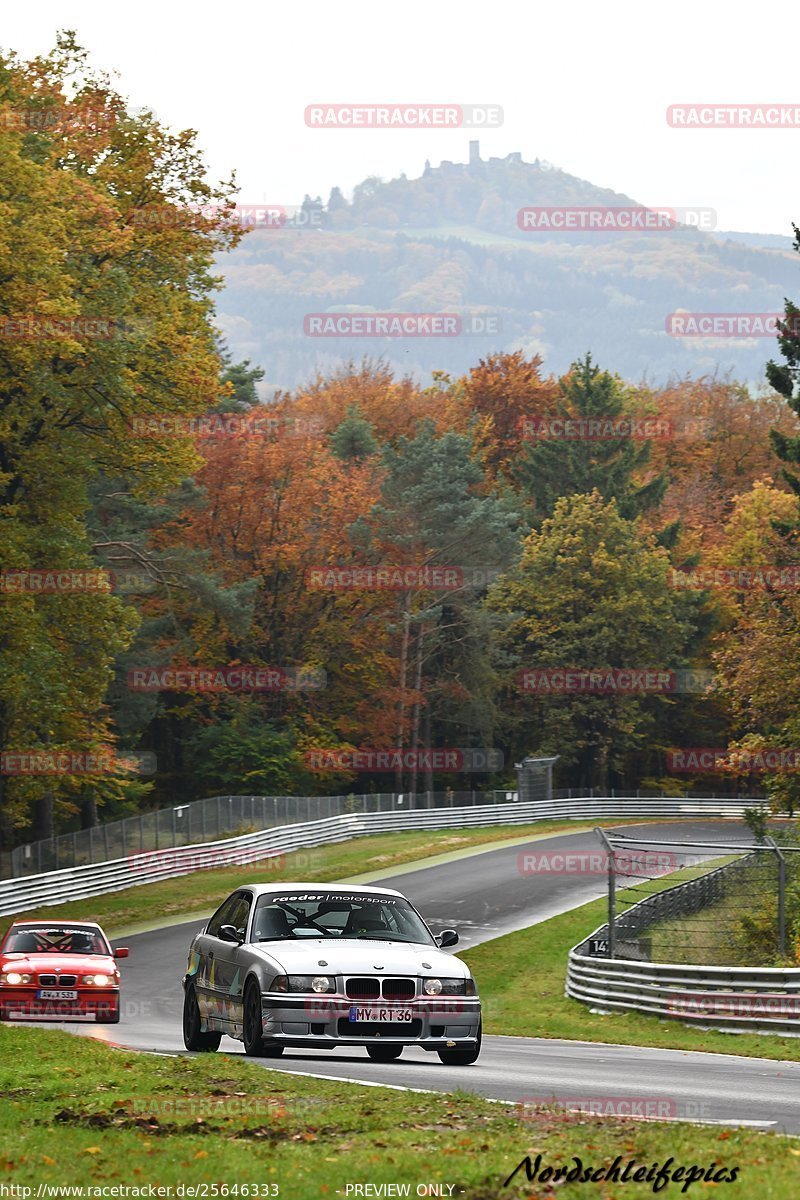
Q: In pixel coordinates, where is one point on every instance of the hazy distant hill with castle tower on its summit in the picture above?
(450, 242)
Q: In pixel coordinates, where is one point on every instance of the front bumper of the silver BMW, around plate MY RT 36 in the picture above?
(436, 1024)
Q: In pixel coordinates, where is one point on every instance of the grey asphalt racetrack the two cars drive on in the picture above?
(485, 896)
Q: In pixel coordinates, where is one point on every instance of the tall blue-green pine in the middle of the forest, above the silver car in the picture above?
(435, 512)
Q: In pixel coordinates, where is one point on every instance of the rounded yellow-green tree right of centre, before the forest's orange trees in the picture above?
(590, 592)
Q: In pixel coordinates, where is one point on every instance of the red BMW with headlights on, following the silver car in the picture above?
(59, 970)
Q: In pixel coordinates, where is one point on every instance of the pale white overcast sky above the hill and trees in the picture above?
(585, 86)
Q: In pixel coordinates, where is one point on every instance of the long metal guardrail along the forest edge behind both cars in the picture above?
(97, 879)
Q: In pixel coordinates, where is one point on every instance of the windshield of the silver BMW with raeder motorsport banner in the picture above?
(334, 916)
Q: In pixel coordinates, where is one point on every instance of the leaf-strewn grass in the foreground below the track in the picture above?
(79, 1113)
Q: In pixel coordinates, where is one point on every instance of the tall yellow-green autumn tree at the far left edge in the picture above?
(106, 319)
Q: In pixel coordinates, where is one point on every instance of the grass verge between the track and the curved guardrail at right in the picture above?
(521, 979)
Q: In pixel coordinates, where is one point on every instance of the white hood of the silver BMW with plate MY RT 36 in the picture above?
(354, 957)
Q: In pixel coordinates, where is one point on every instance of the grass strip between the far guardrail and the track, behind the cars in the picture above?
(203, 891)
